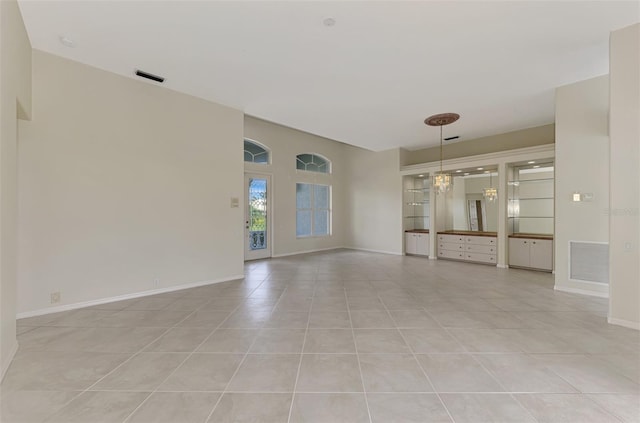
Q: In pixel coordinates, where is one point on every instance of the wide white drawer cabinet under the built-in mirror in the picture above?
(479, 249)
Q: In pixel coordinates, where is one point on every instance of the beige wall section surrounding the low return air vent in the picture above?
(582, 151)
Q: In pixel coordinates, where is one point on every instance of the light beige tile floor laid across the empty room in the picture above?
(341, 336)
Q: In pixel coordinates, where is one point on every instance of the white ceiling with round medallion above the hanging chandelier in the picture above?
(370, 80)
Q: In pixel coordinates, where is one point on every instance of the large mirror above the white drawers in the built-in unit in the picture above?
(466, 207)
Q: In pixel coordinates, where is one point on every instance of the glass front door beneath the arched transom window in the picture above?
(257, 214)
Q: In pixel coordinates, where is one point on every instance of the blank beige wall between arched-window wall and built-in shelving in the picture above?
(374, 200)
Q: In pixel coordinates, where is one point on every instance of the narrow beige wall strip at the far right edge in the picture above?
(624, 225)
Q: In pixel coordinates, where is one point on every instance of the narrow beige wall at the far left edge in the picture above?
(15, 102)
